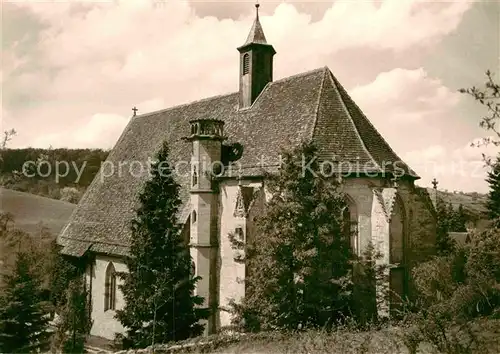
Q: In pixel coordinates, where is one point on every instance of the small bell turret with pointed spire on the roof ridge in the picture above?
(256, 64)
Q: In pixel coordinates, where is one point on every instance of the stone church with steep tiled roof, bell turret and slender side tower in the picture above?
(243, 134)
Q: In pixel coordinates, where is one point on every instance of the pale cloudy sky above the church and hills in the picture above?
(73, 70)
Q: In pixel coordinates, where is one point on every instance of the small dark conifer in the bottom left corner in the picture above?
(23, 314)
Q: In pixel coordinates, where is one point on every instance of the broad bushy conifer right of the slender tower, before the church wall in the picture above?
(298, 262)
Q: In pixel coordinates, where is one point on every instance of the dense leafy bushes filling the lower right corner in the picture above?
(456, 292)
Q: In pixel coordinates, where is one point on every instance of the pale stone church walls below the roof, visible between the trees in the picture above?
(366, 210)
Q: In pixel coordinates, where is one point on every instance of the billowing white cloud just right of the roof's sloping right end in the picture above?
(413, 112)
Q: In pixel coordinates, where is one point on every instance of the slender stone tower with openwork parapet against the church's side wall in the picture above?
(206, 140)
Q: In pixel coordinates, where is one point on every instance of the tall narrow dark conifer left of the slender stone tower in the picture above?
(158, 287)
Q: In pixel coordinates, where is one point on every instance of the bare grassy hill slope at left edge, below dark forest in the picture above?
(30, 210)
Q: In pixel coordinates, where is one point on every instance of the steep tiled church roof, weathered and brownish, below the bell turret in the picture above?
(312, 105)
